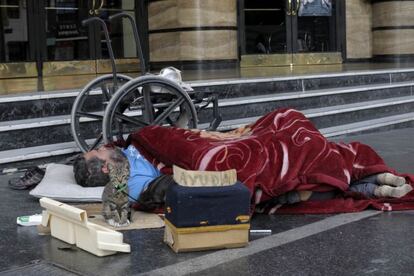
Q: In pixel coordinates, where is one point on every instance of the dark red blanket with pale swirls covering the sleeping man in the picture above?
(281, 152)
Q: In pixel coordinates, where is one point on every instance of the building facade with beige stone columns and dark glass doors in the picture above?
(47, 38)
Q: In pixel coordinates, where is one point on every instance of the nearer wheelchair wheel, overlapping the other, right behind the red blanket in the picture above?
(147, 100)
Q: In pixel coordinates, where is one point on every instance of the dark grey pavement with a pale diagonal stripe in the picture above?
(365, 243)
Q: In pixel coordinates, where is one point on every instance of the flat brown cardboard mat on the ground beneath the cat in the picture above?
(139, 220)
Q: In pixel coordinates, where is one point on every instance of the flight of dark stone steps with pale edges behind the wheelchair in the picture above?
(36, 127)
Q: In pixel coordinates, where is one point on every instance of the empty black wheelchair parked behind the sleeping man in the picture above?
(111, 106)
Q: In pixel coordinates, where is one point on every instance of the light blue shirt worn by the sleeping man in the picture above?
(141, 172)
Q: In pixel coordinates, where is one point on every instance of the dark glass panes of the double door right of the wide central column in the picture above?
(285, 27)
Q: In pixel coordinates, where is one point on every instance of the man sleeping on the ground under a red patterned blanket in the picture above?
(282, 158)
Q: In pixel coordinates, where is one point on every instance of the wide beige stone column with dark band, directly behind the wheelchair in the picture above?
(192, 30)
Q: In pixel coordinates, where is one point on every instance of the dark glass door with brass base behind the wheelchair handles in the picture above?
(72, 49)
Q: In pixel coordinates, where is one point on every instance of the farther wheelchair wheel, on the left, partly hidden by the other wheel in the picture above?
(88, 110)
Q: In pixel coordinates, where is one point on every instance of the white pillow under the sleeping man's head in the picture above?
(59, 184)
